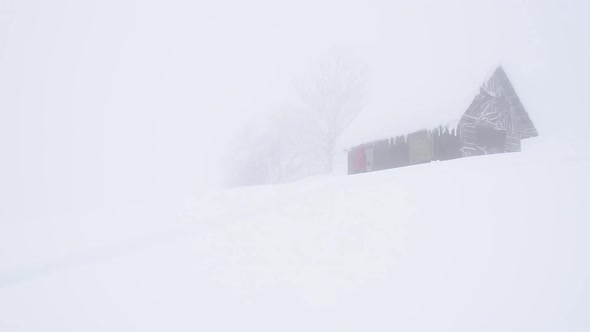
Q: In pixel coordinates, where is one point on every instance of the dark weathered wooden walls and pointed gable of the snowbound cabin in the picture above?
(495, 122)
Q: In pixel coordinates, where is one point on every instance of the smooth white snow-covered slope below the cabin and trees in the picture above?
(493, 243)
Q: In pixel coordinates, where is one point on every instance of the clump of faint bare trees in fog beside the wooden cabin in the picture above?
(301, 139)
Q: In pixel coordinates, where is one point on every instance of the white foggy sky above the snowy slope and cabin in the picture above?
(107, 102)
